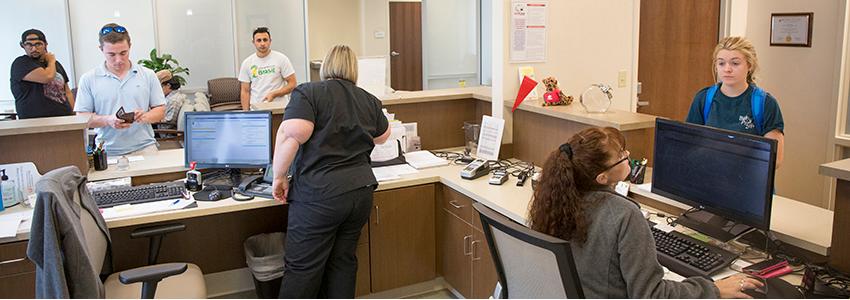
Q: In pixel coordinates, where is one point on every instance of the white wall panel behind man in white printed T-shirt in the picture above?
(286, 22)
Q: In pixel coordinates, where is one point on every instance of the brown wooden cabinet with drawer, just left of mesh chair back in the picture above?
(465, 260)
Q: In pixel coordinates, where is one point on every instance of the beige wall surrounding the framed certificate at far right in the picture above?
(805, 82)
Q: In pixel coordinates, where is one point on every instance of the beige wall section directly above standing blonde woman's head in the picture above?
(333, 22)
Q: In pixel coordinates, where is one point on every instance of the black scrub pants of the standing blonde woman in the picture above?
(321, 243)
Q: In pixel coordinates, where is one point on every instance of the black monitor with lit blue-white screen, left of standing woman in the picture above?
(228, 139)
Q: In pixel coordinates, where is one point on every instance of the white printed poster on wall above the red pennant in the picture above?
(528, 30)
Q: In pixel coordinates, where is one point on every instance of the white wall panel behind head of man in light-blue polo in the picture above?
(88, 16)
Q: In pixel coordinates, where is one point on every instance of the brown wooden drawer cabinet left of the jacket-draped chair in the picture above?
(17, 273)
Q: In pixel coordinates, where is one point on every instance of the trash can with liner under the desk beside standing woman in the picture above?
(264, 256)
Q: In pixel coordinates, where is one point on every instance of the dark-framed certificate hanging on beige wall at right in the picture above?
(791, 29)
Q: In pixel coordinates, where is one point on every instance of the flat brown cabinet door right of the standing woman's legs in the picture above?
(401, 237)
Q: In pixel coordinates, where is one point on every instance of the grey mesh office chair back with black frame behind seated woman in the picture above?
(530, 264)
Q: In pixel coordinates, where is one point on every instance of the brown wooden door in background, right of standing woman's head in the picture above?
(406, 46)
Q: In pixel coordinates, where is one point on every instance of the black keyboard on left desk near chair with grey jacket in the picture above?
(139, 194)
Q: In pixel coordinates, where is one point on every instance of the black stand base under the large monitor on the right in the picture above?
(712, 225)
